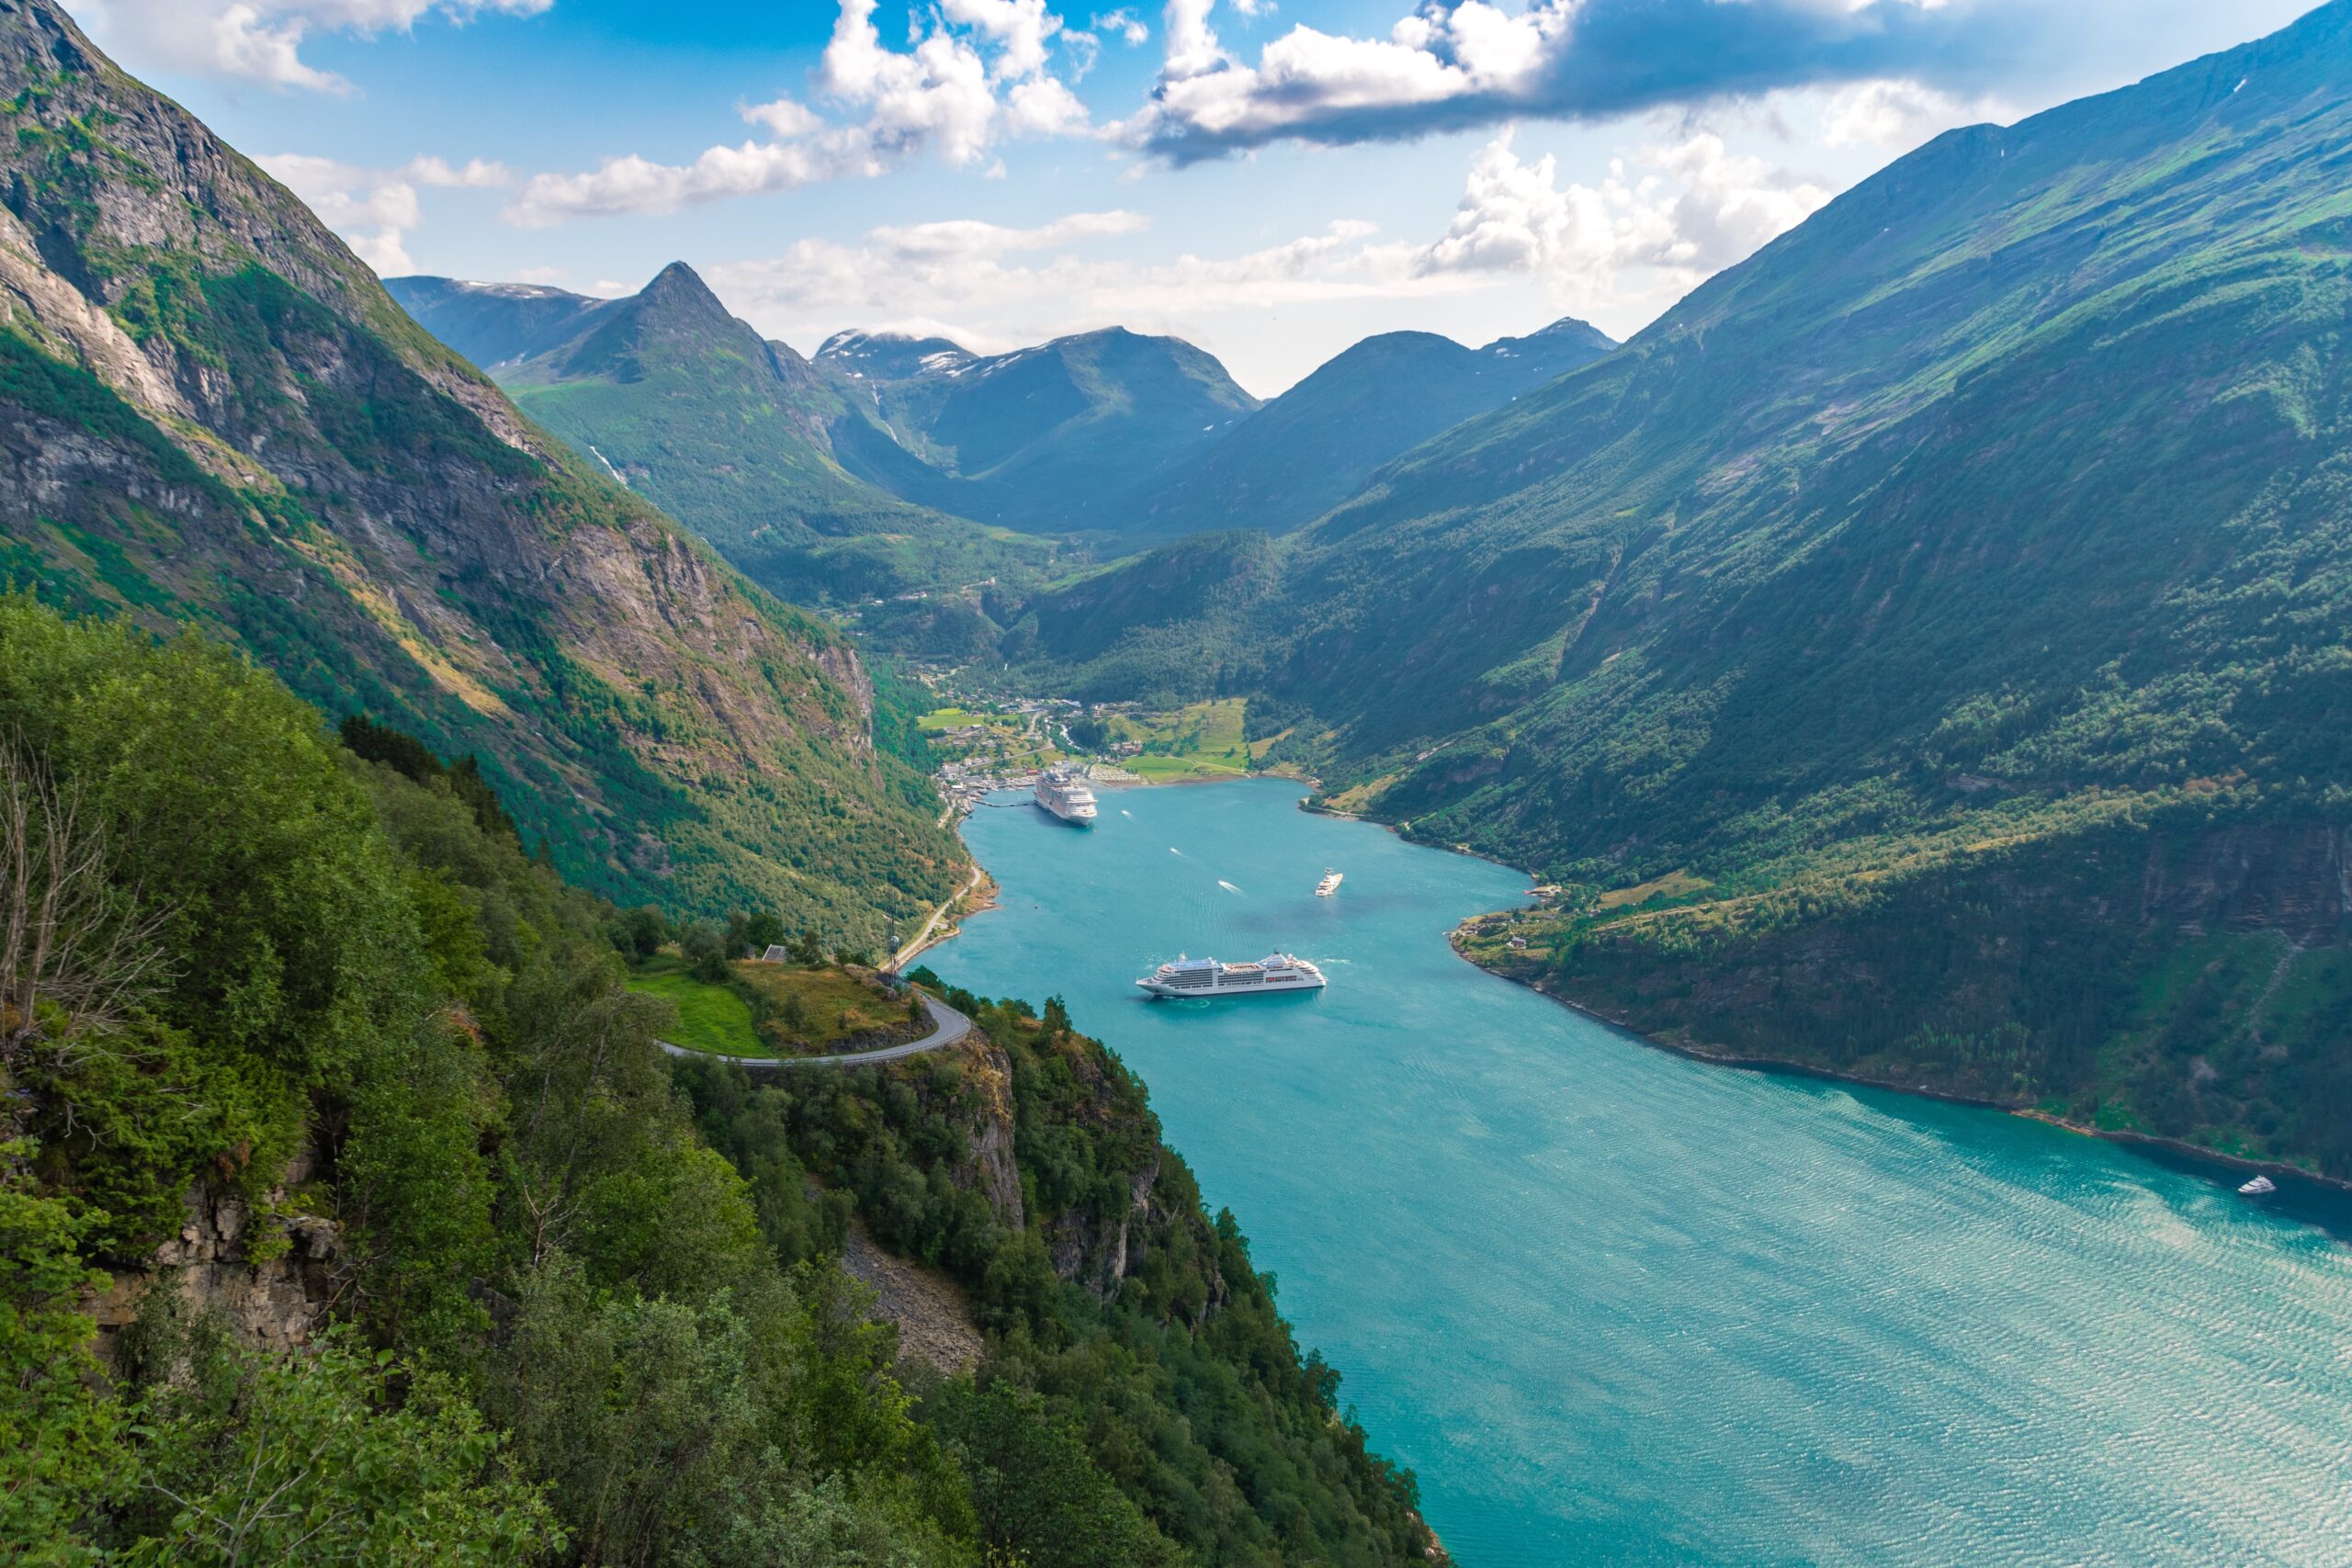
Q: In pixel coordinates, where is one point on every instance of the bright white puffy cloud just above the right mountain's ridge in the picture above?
(1631, 241)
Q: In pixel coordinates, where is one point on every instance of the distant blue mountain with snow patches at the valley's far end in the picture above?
(1053, 438)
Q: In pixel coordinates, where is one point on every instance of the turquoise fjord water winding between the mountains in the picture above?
(1626, 1308)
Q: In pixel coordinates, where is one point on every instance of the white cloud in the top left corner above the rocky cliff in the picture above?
(260, 41)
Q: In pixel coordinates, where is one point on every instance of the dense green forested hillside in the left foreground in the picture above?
(305, 1052)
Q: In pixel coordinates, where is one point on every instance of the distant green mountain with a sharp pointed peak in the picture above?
(726, 431)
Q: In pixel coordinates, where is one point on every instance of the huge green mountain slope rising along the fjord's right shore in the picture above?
(1920, 652)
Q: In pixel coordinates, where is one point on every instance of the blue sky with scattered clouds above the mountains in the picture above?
(1267, 177)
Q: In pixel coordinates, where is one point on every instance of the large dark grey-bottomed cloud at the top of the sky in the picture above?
(1469, 62)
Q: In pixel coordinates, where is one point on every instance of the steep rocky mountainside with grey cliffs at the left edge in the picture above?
(213, 415)
